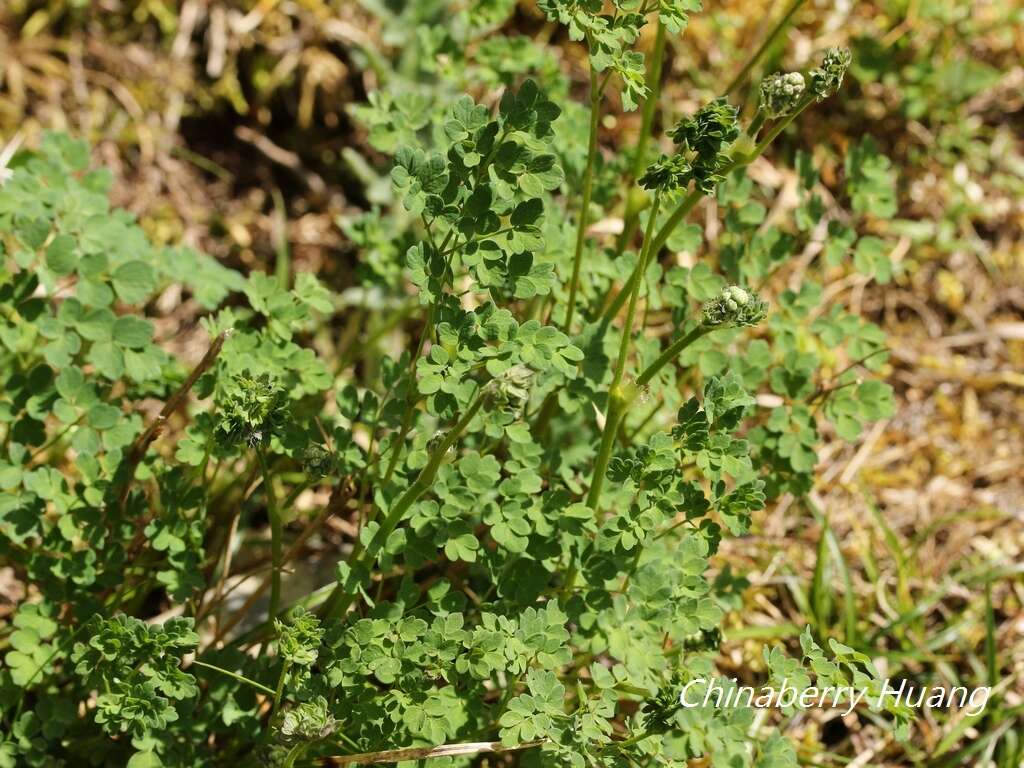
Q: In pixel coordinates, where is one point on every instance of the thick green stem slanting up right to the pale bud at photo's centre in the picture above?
(345, 594)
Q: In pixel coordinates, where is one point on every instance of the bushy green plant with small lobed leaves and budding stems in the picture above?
(535, 505)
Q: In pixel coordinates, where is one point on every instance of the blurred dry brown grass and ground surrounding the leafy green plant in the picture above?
(251, 132)
